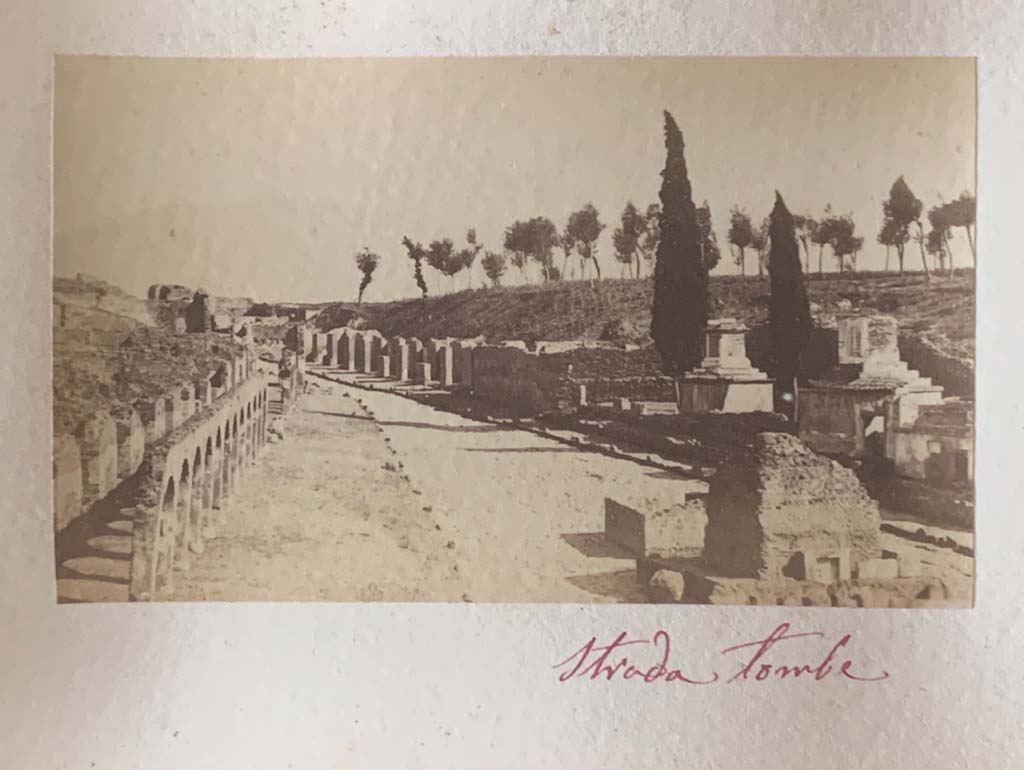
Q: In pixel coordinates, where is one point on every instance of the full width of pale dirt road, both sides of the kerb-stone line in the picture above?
(374, 497)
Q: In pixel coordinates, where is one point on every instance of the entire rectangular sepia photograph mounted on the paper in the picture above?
(572, 330)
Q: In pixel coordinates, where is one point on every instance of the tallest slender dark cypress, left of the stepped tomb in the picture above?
(680, 311)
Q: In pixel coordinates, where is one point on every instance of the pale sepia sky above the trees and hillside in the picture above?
(265, 178)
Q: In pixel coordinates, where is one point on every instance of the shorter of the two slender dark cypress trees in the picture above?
(789, 312)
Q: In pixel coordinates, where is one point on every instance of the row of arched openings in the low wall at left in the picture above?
(199, 476)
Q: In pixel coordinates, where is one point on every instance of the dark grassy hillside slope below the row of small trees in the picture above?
(941, 313)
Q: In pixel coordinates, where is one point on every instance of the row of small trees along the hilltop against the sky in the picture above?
(537, 241)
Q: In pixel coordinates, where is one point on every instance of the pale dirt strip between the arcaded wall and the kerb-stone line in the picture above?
(326, 515)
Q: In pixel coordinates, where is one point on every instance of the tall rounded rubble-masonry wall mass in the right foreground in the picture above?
(786, 503)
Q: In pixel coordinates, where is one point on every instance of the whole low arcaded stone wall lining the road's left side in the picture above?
(185, 478)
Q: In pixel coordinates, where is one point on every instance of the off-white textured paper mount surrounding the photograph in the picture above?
(397, 687)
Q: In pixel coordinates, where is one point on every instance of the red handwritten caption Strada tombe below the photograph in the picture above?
(650, 661)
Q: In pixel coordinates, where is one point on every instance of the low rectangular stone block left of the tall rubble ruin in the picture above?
(660, 522)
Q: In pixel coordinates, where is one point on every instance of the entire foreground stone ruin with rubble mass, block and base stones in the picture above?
(789, 527)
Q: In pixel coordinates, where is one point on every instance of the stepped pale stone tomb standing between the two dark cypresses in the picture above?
(726, 381)
